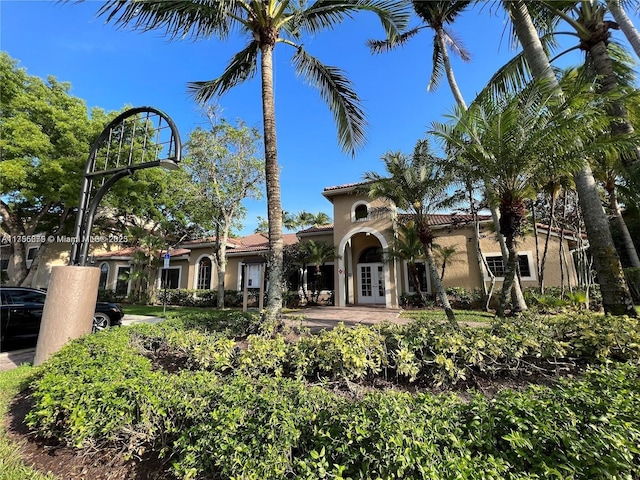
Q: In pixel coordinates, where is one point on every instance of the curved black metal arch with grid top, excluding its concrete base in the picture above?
(138, 138)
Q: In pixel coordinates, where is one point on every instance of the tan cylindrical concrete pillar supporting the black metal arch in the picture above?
(68, 309)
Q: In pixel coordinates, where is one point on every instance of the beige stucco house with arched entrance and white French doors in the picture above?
(361, 275)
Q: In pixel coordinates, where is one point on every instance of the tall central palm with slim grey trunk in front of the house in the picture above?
(266, 23)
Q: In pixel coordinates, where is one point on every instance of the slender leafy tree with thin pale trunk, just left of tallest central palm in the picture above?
(223, 170)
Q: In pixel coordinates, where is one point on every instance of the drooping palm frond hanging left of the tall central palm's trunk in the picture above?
(242, 66)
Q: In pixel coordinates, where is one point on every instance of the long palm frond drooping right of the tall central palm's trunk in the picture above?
(337, 91)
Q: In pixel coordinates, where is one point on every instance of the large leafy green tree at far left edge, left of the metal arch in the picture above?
(45, 141)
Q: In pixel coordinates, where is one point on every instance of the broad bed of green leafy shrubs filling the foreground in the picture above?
(219, 395)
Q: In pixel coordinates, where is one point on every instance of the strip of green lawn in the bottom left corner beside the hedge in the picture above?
(11, 465)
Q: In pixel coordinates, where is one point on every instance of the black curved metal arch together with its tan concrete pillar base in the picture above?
(139, 138)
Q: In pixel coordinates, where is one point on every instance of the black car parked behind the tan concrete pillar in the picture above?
(21, 313)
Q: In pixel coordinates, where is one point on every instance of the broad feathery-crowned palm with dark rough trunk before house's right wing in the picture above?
(512, 140)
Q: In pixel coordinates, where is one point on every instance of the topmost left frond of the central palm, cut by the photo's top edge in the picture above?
(179, 18)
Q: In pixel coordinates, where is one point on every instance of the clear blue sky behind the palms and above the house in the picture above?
(112, 68)
